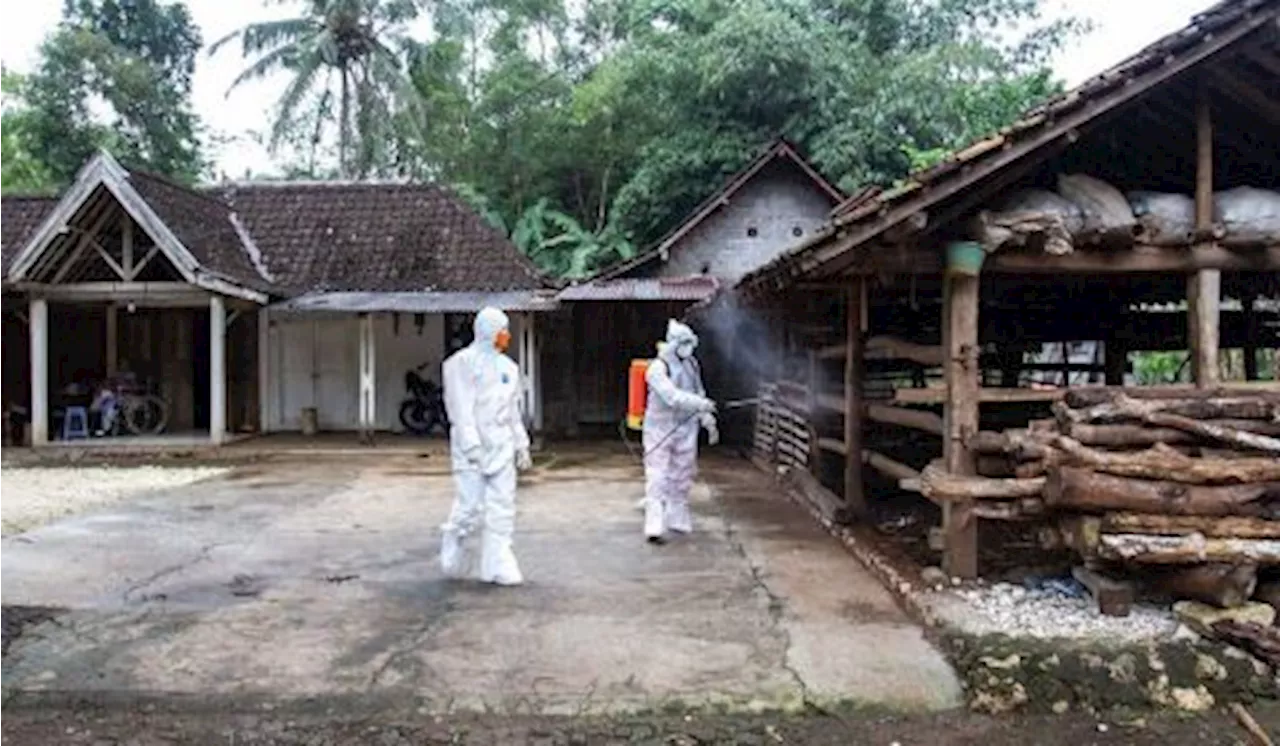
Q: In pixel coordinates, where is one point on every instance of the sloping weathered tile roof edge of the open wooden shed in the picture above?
(1224, 20)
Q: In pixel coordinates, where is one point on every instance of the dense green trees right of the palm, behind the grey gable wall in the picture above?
(591, 127)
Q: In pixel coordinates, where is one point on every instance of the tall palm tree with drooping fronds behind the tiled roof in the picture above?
(354, 47)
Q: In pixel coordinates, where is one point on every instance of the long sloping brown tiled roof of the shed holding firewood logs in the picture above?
(862, 219)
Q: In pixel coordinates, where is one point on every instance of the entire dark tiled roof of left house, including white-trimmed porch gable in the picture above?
(286, 239)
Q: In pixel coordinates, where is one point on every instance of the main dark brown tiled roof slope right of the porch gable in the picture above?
(377, 237)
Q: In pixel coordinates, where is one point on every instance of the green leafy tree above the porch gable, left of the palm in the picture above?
(136, 57)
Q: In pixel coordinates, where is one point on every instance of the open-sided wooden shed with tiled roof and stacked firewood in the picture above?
(915, 318)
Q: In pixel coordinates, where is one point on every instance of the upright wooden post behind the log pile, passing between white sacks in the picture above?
(1205, 289)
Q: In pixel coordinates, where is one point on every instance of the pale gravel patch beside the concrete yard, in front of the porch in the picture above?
(34, 497)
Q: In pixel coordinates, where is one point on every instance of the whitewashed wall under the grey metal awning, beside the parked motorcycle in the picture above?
(314, 361)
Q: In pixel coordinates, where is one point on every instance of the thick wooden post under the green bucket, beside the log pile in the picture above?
(961, 418)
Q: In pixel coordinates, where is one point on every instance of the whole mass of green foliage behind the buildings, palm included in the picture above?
(583, 129)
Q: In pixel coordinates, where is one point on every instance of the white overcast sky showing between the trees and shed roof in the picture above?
(1122, 28)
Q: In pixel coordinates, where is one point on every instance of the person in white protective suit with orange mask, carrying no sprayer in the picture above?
(488, 443)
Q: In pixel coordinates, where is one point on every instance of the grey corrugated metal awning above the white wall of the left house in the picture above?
(419, 303)
